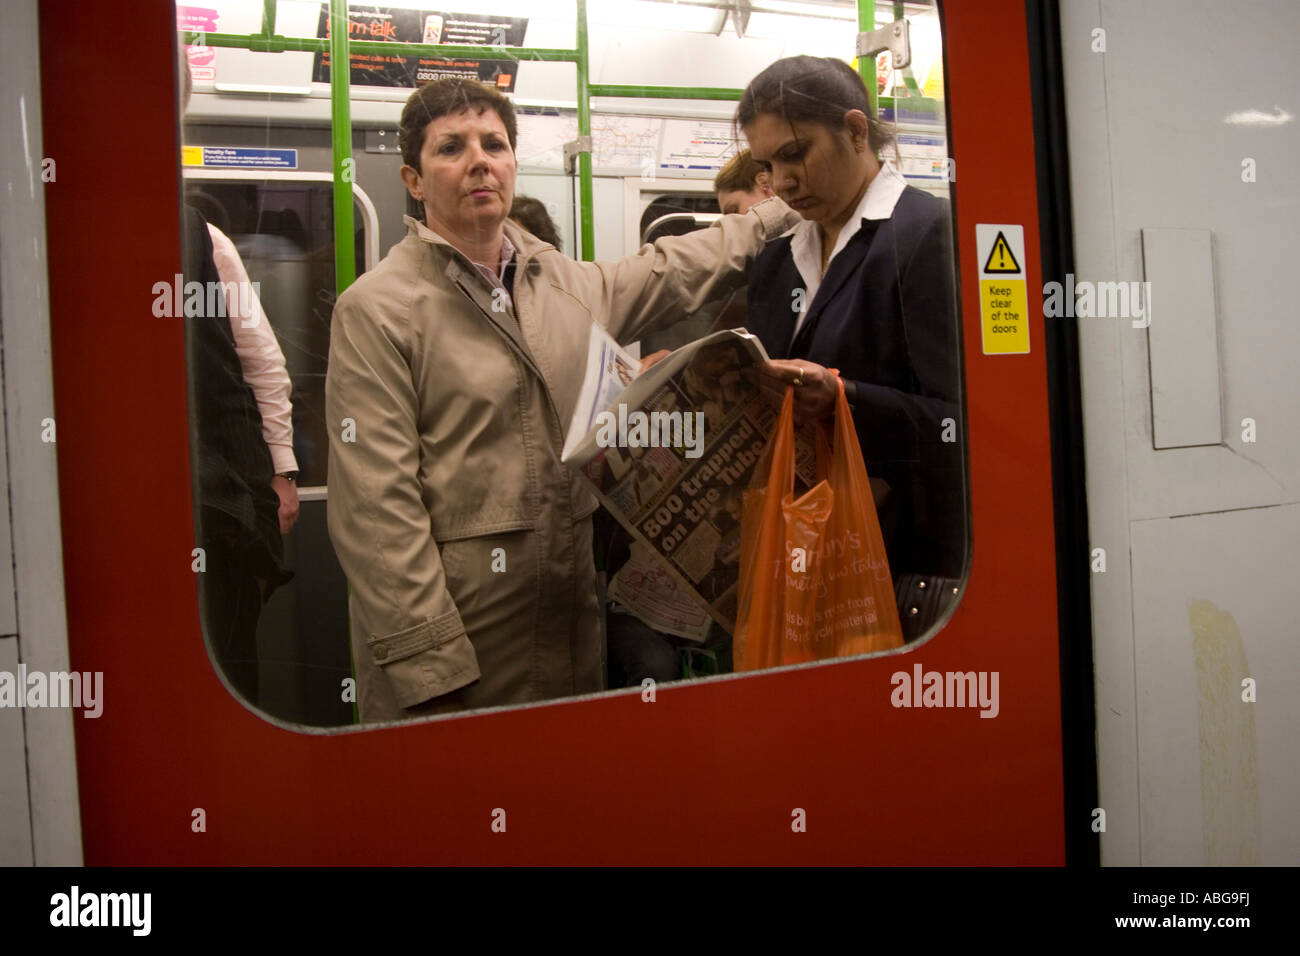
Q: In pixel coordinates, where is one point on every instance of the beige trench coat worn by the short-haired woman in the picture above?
(466, 542)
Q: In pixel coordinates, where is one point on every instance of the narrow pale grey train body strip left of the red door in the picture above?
(29, 397)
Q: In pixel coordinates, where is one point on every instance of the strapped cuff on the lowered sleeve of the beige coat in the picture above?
(426, 661)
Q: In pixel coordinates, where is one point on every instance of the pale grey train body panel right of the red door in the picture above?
(1182, 157)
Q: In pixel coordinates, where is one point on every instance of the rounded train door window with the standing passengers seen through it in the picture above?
(462, 572)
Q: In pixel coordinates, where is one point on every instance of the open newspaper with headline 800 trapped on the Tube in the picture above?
(670, 453)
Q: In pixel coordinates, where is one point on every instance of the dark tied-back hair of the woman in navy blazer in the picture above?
(811, 89)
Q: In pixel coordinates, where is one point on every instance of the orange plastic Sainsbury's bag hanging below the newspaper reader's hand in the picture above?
(814, 578)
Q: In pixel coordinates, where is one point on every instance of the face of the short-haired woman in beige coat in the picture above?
(467, 174)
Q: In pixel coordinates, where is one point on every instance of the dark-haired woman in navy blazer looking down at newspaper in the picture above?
(863, 291)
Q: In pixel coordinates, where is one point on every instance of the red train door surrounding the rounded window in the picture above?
(709, 773)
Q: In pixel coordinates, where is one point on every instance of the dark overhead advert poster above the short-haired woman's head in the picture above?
(395, 25)
